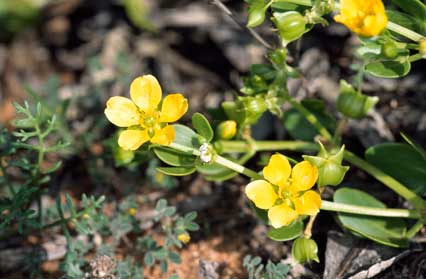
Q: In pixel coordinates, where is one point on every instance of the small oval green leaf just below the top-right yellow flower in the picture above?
(388, 69)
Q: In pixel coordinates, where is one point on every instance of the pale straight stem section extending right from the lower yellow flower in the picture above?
(372, 211)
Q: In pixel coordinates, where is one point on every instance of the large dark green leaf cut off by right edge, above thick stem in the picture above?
(402, 162)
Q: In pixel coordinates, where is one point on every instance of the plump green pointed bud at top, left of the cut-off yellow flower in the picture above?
(291, 25)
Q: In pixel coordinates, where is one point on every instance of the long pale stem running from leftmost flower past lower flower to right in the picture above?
(326, 205)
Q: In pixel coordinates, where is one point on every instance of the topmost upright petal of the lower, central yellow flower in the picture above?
(278, 170)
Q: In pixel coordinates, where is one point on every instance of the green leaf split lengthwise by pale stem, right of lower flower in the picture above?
(387, 231)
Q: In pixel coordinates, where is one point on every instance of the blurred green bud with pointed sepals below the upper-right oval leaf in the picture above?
(353, 103)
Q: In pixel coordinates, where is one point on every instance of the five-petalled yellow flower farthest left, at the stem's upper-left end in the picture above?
(141, 114)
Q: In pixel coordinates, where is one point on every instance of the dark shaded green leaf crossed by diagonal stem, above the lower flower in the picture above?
(299, 128)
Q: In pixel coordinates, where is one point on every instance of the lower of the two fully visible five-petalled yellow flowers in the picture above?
(285, 192)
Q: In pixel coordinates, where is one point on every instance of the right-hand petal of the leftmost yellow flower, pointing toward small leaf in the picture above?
(174, 107)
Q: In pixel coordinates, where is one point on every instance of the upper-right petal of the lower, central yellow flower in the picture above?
(304, 176)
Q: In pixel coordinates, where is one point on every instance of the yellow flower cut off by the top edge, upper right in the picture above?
(366, 18)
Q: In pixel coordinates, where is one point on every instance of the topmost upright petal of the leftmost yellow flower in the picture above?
(146, 92)
